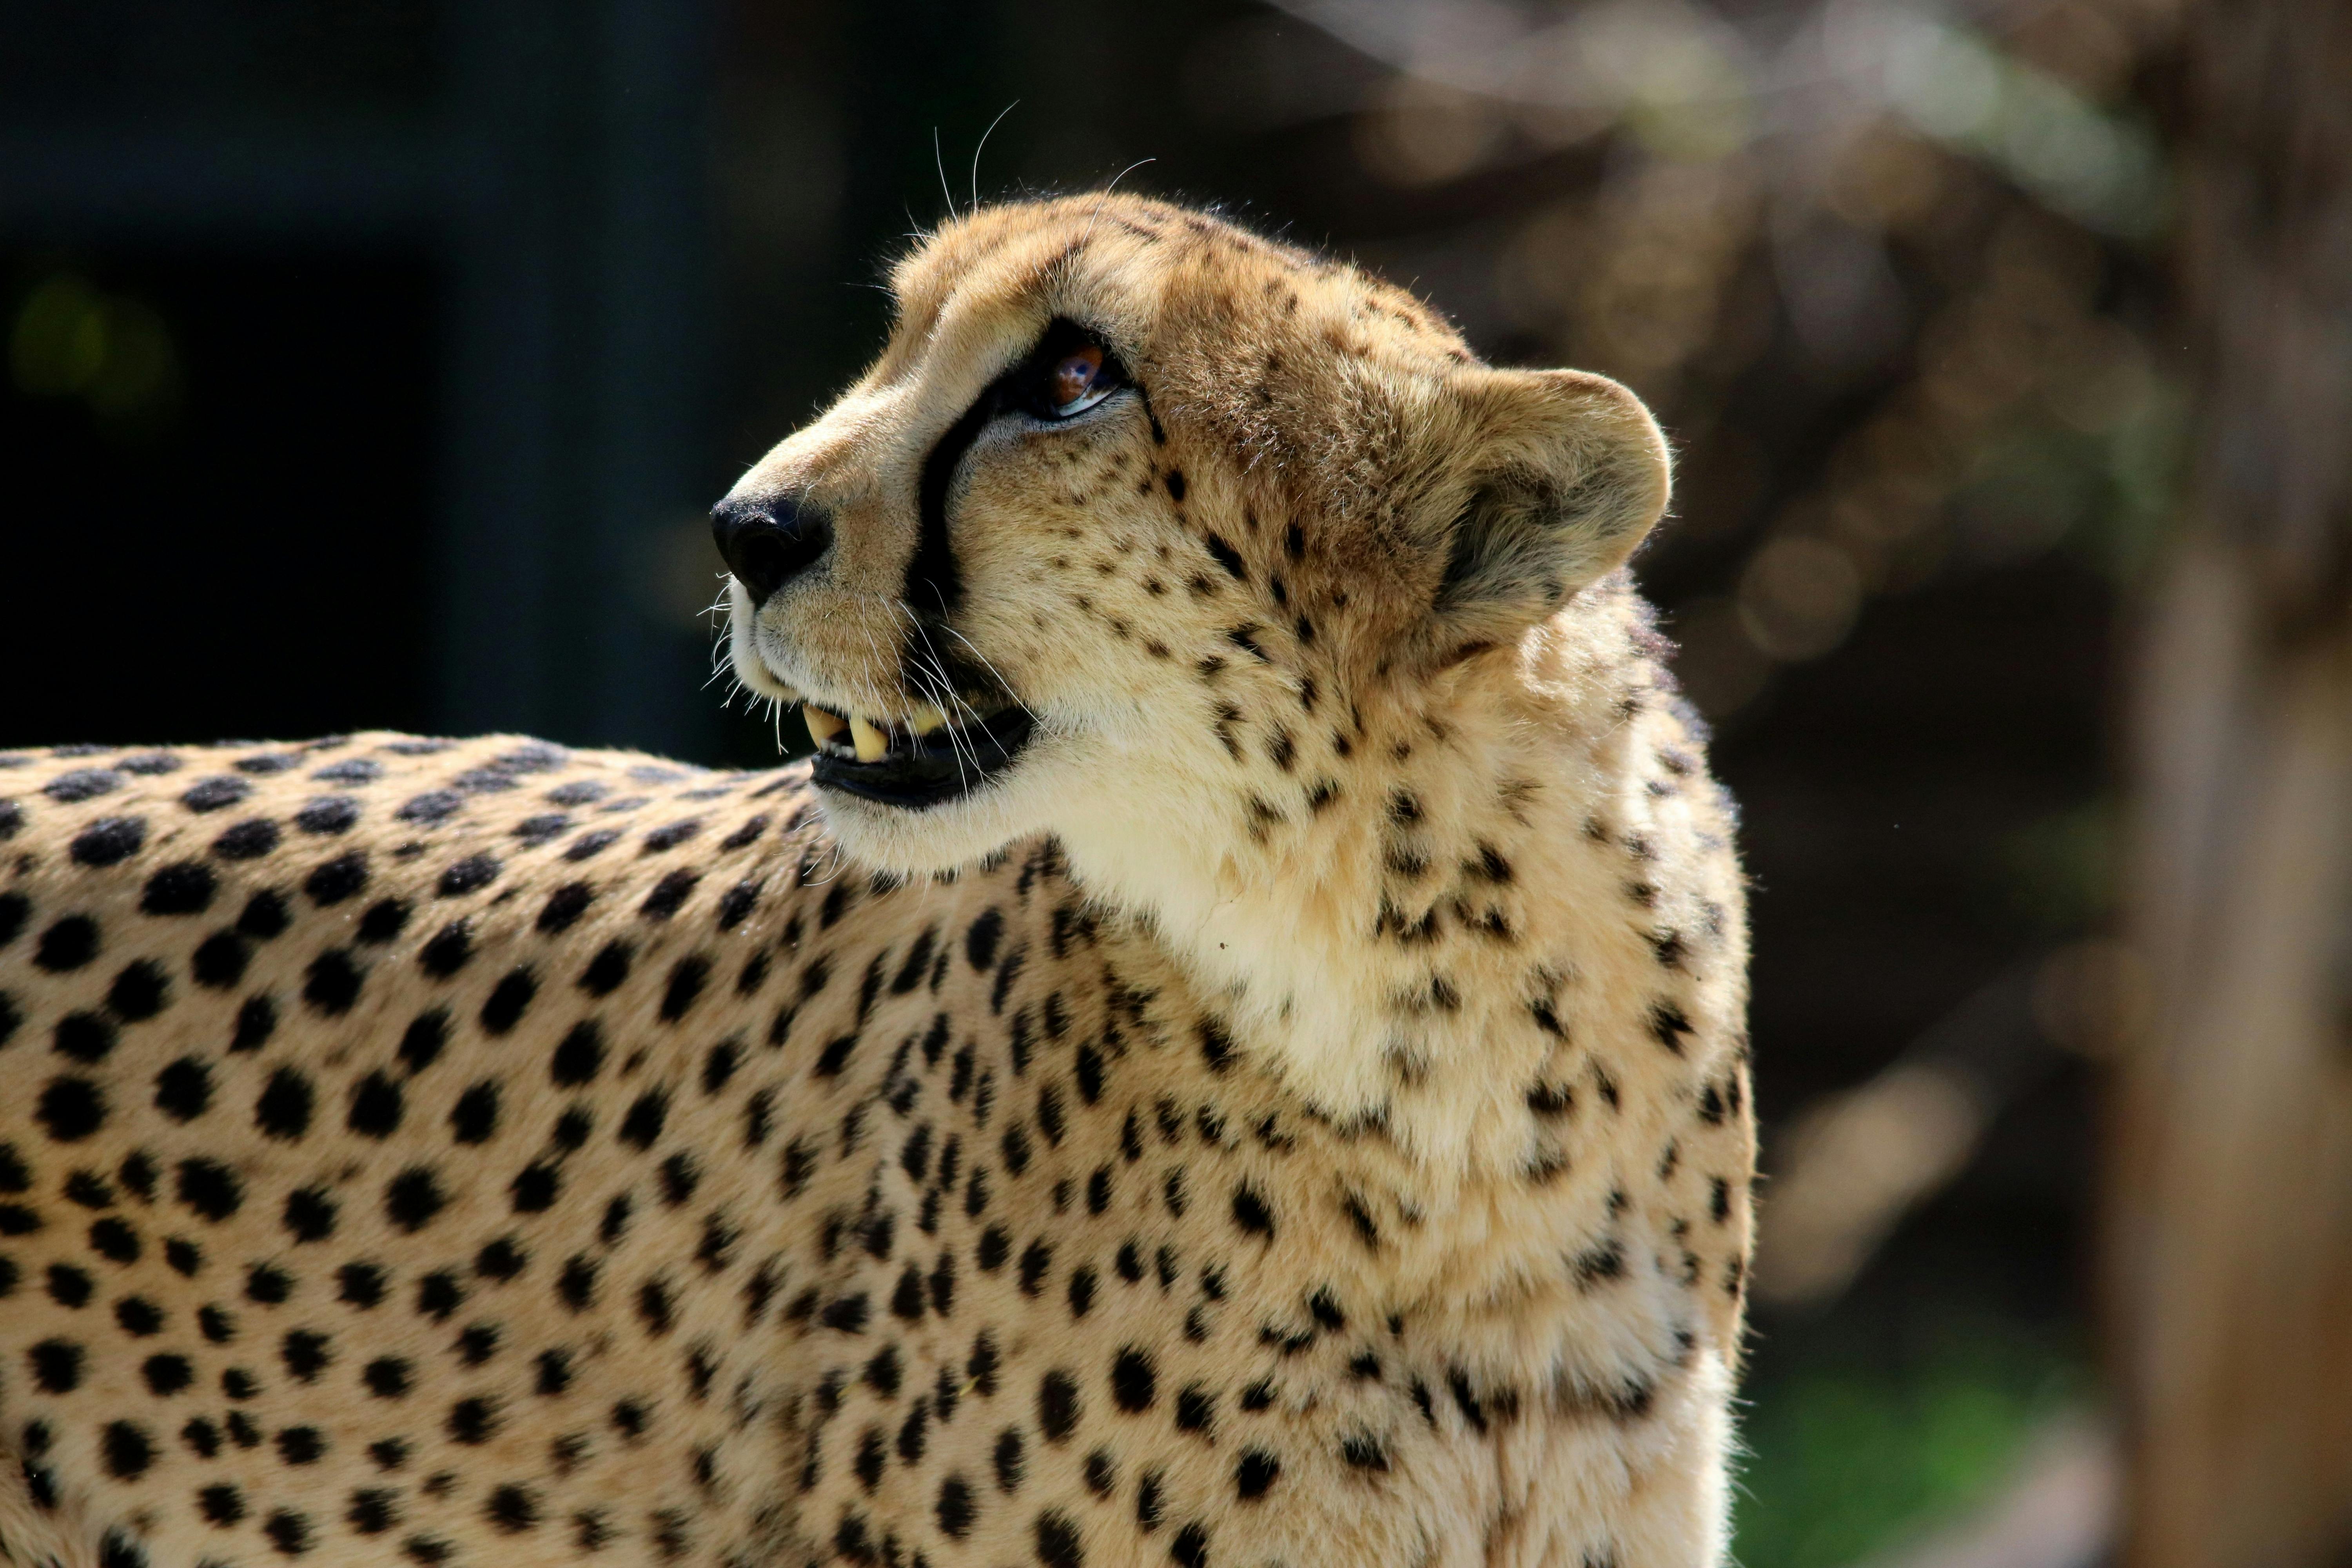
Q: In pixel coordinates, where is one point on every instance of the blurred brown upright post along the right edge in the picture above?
(2231, 1202)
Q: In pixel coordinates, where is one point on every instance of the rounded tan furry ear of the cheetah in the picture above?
(1556, 478)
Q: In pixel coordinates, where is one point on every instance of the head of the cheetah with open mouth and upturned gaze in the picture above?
(1140, 516)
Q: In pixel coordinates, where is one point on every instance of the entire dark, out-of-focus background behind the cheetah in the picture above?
(370, 363)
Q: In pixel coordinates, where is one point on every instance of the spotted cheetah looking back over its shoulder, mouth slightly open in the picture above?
(1231, 1052)
